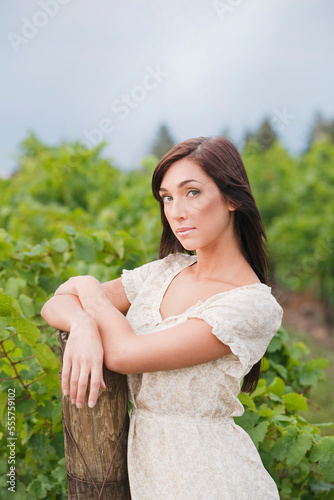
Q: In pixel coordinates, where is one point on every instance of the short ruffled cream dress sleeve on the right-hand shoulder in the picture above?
(246, 321)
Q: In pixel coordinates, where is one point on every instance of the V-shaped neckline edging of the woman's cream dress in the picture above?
(178, 270)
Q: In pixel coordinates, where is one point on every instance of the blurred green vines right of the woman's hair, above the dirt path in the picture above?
(296, 201)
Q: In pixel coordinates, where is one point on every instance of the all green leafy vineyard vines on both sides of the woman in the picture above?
(67, 211)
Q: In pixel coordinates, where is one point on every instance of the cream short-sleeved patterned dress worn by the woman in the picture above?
(183, 443)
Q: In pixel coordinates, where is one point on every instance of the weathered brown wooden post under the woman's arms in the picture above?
(96, 441)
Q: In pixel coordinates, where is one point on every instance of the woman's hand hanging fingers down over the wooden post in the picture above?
(83, 356)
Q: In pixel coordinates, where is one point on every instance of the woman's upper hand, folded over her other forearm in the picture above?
(89, 291)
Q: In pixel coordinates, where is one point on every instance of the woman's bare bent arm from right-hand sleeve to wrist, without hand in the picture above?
(188, 344)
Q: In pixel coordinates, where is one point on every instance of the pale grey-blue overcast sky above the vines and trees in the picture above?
(124, 68)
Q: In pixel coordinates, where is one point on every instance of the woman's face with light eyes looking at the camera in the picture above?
(194, 206)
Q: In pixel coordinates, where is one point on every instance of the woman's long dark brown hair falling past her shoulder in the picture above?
(220, 159)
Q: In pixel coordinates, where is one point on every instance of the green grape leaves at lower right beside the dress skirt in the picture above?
(298, 458)
